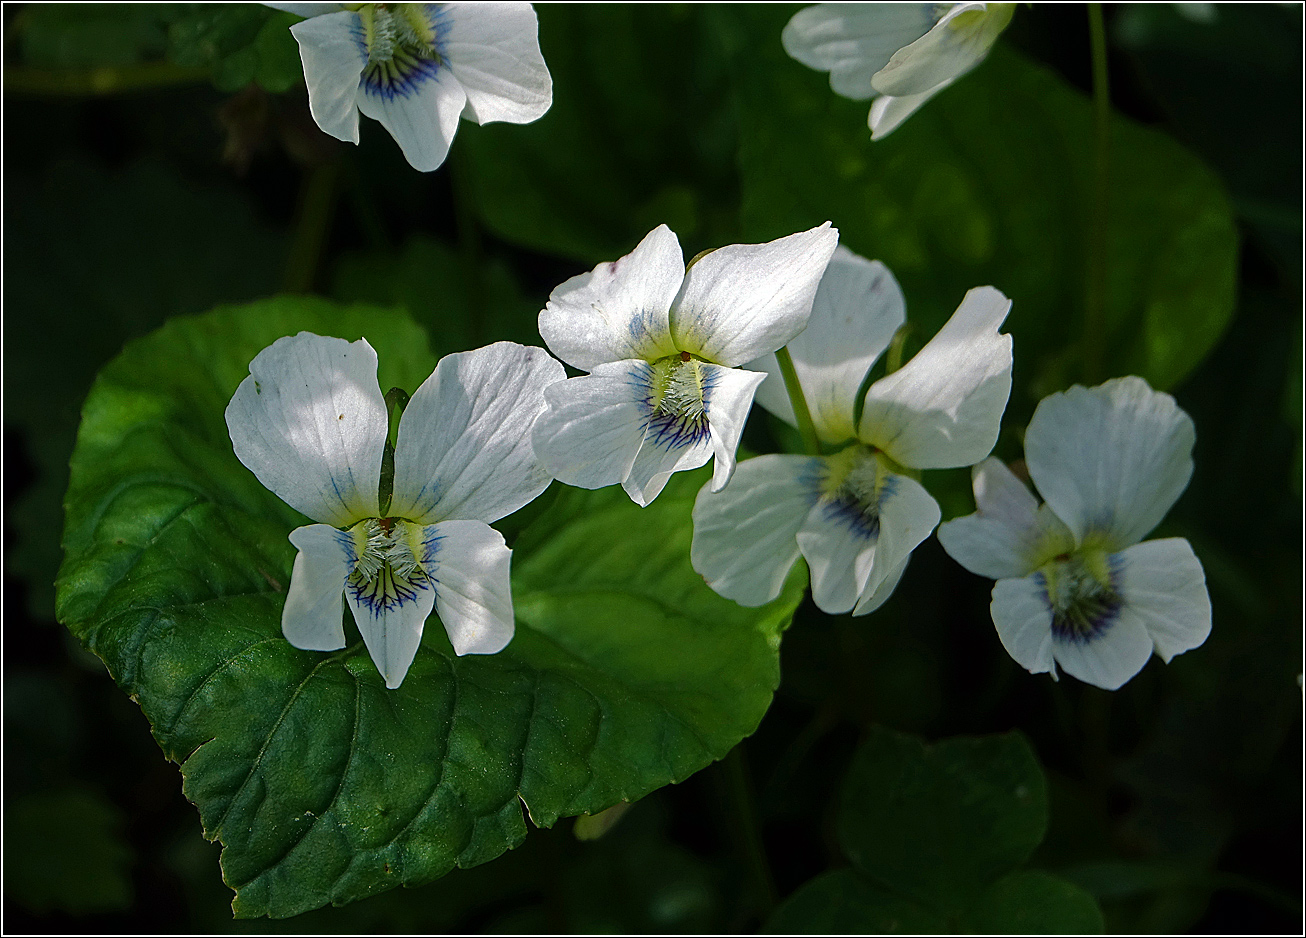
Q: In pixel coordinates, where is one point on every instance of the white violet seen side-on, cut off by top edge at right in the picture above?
(897, 54)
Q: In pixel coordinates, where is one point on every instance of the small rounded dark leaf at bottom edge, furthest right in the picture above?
(1032, 902)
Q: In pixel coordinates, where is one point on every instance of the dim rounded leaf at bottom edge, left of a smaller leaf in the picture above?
(843, 902)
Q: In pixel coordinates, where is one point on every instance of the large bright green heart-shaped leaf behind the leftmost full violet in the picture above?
(628, 673)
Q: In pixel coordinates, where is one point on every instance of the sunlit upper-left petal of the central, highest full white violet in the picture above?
(620, 310)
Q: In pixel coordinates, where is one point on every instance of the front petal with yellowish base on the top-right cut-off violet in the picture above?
(958, 44)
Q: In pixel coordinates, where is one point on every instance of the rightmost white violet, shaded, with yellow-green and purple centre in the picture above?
(1075, 589)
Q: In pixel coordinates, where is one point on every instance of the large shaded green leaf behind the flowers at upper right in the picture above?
(992, 184)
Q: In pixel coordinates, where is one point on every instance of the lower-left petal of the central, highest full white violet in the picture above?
(594, 425)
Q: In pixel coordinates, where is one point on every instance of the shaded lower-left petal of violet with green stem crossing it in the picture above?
(746, 536)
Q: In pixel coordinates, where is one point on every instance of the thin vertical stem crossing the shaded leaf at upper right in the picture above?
(1095, 280)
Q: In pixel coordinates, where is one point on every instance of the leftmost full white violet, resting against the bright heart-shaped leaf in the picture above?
(310, 421)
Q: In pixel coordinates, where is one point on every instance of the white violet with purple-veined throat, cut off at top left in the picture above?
(419, 69)
